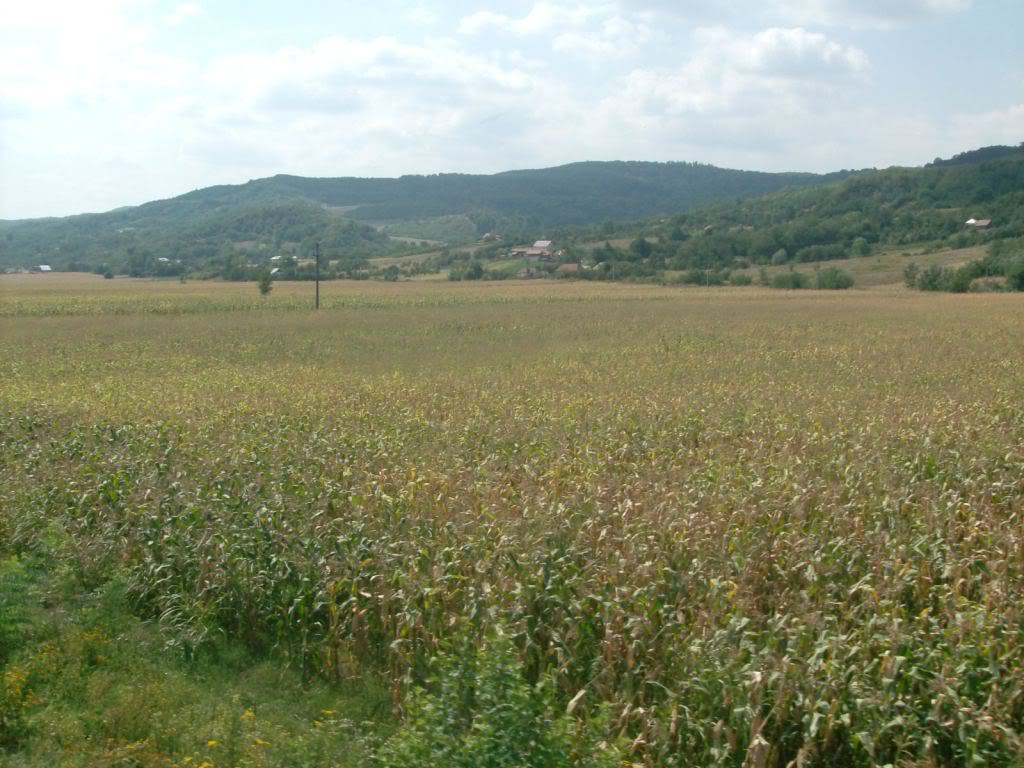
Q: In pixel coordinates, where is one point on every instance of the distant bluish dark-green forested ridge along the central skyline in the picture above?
(577, 194)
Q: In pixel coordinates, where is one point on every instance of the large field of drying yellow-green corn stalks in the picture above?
(765, 527)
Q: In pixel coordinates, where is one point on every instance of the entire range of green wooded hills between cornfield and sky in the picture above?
(693, 219)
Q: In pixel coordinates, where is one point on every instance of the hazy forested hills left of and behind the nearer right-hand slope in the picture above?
(196, 229)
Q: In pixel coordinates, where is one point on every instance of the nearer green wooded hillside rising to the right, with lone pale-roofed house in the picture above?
(856, 218)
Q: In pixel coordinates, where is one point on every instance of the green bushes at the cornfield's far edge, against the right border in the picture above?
(1004, 264)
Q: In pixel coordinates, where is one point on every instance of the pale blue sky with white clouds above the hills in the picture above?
(113, 103)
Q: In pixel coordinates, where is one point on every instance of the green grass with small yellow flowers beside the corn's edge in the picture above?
(92, 686)
